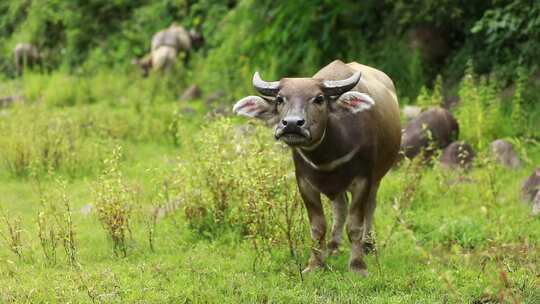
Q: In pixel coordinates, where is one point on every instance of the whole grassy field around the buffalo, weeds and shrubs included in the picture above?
(187, 207)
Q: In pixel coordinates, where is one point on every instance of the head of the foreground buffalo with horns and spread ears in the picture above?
(300, 107)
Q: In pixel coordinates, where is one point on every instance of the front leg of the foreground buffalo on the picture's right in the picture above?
(360, 189)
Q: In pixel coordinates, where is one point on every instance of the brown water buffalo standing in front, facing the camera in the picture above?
(343, 127)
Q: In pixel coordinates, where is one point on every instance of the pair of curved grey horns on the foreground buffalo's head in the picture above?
(329, 87)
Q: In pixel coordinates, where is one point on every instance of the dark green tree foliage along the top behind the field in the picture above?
(280, 37)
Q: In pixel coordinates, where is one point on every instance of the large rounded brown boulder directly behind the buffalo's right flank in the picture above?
(433, 129)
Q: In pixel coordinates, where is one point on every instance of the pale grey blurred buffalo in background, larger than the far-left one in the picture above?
(165, 47)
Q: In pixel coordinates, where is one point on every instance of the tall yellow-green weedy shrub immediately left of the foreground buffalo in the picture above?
(240, 180)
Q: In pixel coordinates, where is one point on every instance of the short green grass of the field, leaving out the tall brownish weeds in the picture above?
(459, 238)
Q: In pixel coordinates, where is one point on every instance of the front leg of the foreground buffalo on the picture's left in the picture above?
(312, 201)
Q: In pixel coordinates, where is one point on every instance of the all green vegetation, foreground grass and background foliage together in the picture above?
(112, 190)
